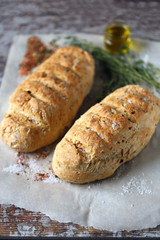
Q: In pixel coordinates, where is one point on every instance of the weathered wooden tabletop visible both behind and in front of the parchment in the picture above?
(70, 16)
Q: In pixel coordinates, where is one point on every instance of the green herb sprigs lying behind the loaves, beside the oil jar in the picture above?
(123, 69)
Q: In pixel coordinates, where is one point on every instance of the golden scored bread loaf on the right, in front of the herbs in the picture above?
(110, 133)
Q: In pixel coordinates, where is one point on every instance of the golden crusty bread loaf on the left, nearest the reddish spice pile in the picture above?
(44, 105)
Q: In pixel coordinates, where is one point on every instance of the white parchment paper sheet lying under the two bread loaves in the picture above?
(128, 200)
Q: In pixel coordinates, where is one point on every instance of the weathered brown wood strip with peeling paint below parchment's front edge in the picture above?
(15, 221)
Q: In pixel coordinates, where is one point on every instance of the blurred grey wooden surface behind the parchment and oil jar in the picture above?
(70, 16)
